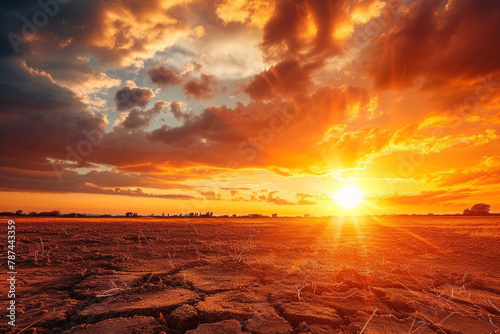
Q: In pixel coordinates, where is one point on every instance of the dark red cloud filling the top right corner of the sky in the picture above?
(437, 42)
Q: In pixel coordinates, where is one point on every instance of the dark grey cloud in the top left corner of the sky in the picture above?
(50, 36)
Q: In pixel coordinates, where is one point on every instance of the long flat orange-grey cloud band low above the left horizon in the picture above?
(75, 178)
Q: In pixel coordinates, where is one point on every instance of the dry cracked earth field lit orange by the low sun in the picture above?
(282, 275)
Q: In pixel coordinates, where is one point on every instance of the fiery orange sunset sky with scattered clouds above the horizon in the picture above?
(248, 106)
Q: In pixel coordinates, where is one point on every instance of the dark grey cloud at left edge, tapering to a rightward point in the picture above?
(39, 118)
